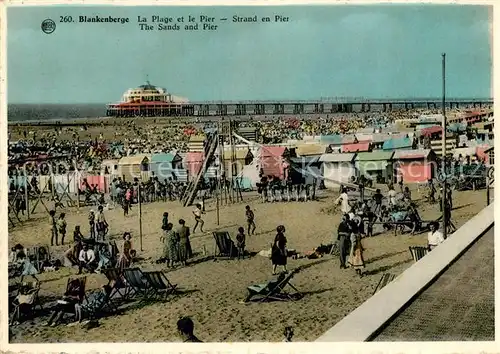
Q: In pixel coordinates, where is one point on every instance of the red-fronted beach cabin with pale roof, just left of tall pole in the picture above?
(415, 166)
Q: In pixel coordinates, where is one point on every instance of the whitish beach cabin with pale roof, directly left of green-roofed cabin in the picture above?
(337, 168)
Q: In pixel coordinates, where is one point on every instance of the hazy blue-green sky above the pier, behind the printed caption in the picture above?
(381, 51)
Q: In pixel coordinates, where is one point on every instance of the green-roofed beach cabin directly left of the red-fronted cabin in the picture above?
(376, 165)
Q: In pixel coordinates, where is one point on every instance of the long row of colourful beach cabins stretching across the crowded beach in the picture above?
(333, 158)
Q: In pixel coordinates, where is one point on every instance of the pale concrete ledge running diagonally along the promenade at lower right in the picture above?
(361, 324)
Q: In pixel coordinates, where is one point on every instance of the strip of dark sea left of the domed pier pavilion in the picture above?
(47, 112)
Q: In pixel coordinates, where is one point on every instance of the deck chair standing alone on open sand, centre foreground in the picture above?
(273, 289)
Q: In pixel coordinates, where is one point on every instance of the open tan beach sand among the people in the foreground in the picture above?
(213, 290)
